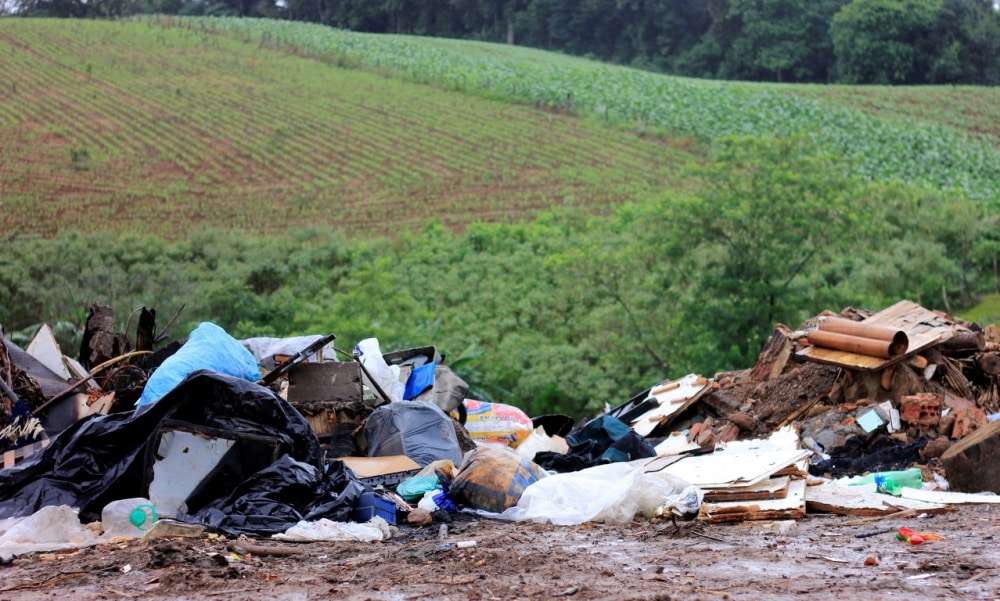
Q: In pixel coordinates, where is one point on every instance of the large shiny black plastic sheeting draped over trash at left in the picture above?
(101, 459)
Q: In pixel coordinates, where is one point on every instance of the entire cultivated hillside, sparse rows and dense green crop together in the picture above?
(160, 124)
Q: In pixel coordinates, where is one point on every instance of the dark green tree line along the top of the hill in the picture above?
(843, 41)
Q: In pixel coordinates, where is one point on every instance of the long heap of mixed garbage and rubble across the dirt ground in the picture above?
(296, 439)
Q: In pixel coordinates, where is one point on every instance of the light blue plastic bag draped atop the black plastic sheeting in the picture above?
(208, 347)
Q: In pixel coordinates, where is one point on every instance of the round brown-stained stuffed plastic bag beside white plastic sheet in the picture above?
(493, 478)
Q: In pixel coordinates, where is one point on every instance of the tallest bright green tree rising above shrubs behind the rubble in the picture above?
(773, 210)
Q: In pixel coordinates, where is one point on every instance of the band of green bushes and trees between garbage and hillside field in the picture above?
(568, 311)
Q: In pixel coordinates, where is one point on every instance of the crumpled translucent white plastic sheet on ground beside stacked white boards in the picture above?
(613, 493)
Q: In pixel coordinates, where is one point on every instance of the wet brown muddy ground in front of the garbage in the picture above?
(819, 557)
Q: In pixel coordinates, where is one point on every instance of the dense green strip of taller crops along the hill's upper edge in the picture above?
(875, 148)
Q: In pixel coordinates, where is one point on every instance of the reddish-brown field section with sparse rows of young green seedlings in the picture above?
(129, 126)
